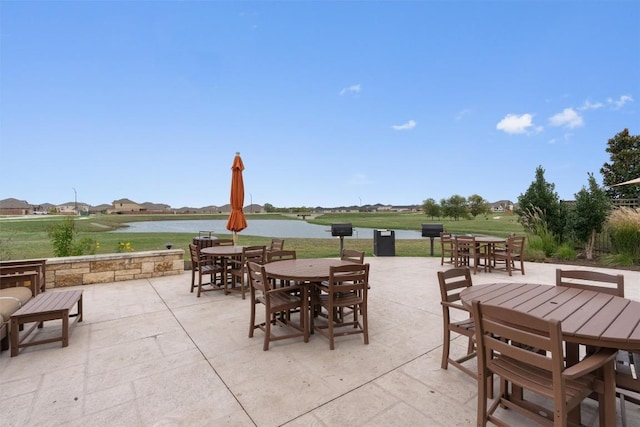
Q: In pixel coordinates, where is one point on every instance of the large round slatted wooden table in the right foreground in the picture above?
(588, 317)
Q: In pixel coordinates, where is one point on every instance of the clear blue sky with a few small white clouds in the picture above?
(329, 103)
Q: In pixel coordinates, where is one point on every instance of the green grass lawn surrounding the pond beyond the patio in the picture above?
(27, 238)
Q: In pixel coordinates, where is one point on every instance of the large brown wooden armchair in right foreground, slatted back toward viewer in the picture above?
(504, 338)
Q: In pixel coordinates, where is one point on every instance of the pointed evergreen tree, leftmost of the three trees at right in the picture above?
(541, 196)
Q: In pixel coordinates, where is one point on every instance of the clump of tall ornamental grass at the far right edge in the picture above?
(624, 228)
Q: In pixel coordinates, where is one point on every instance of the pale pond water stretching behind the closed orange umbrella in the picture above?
(255, 227)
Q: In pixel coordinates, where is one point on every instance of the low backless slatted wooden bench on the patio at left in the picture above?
(45, 306)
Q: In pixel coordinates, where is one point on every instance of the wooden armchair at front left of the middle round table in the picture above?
(278, 304)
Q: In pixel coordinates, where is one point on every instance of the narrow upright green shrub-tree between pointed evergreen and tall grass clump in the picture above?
(589, 214)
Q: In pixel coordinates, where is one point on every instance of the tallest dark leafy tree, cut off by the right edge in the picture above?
(624, 165)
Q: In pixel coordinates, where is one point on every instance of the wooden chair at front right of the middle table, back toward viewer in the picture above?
(347, 287)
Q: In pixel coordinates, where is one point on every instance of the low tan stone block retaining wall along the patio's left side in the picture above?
(87, 269)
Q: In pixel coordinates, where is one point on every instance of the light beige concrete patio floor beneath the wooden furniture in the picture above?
(149, 353)
